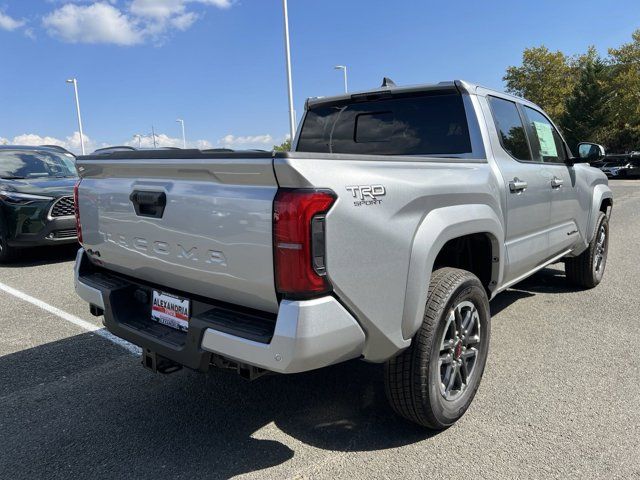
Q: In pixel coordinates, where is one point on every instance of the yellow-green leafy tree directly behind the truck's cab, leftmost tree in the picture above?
(545, 78)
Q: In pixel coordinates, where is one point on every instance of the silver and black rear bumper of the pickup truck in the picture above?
(305, 335)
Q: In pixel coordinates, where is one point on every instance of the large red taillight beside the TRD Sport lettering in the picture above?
(298, 217)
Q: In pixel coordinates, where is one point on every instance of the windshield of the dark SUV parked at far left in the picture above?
(34, 164)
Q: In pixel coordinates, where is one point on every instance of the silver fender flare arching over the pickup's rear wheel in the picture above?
(436, 229)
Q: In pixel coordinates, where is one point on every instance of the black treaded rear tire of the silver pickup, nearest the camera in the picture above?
(414, 379)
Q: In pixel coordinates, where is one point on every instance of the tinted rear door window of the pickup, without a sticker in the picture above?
(510, 128)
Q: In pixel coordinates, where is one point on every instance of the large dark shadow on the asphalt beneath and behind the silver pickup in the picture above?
(81, 407)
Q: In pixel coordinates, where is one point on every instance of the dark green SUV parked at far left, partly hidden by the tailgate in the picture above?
(36, 198)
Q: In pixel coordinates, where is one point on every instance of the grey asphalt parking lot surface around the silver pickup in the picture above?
(559, 398)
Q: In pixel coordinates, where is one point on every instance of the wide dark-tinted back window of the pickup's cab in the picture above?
(415, 125)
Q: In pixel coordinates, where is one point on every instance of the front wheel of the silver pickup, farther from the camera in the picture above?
(587, 269)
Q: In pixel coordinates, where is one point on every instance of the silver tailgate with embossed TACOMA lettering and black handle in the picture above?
(201, 225)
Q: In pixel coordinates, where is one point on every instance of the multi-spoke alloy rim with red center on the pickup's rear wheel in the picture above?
(459, 349)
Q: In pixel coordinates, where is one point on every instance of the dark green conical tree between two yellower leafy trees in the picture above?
(588, 109)
